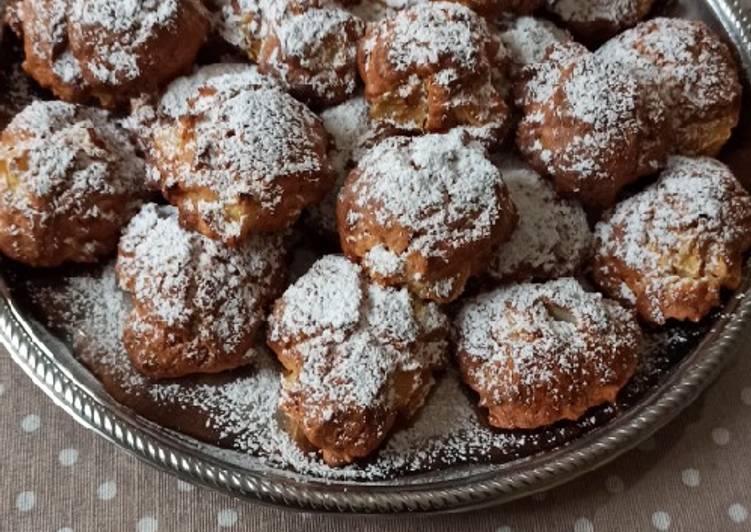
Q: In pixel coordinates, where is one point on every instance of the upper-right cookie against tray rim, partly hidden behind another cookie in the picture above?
(694, 72)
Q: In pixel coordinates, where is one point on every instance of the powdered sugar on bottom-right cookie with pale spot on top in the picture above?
(548, 337)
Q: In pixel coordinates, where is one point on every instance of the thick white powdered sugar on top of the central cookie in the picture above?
(441, 188)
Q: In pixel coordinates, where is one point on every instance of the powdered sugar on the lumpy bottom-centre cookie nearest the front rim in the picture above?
(352, 336)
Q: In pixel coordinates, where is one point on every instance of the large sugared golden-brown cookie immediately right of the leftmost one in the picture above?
(246, 163)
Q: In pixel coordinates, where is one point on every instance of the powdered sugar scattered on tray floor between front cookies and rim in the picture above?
(239, 409)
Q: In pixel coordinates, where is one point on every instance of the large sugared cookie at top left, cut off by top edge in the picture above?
(108, 49)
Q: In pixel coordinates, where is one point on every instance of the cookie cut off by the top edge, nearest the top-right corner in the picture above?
(595, 21)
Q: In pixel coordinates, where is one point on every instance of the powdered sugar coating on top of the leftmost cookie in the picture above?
(62, 157)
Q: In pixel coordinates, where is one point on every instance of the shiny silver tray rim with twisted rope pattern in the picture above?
(495, 487)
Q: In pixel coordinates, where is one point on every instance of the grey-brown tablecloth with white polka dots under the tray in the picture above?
(694, 475)
